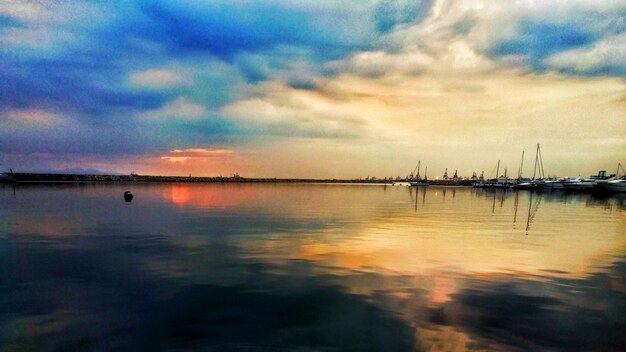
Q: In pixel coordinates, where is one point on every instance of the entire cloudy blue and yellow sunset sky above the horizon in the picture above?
(312, 88)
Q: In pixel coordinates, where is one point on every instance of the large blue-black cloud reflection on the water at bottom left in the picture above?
(101, 297)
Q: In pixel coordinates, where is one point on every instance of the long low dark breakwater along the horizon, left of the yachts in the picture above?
(79, 178)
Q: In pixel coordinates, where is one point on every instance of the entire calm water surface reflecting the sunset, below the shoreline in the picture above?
(290, 267)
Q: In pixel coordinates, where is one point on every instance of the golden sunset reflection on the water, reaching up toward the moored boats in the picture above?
(469, 240)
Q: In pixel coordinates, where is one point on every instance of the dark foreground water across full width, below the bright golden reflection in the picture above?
(106, 294)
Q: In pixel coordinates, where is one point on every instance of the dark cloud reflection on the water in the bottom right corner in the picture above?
(565, 314)
